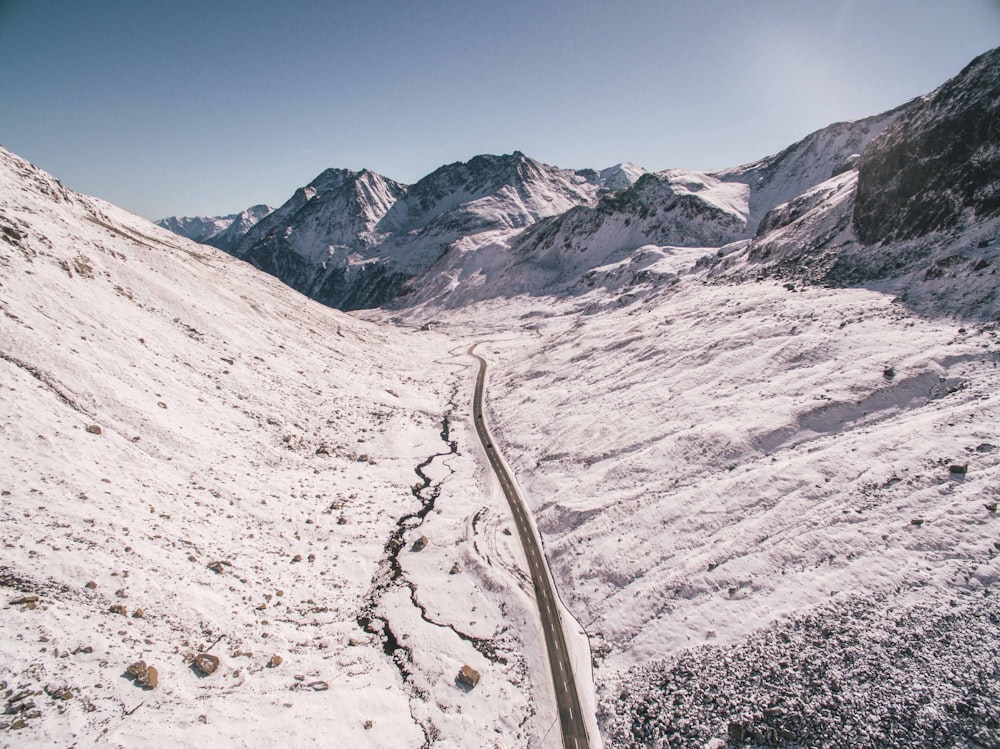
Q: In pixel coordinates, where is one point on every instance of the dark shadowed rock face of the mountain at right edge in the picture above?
(938, 160)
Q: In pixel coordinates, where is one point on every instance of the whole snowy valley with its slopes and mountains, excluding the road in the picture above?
(752, 411)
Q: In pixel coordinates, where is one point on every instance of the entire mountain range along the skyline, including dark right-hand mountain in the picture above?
(502, 225)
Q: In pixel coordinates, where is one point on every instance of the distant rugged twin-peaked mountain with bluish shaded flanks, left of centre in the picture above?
(353, 239)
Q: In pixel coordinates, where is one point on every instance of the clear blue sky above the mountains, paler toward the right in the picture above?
(180, 107)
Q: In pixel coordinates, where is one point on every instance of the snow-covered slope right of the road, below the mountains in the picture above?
(773, 508)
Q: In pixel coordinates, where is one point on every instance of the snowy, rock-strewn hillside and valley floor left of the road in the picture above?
(199, 460)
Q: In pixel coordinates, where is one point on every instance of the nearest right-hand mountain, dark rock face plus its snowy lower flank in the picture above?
(918, 214)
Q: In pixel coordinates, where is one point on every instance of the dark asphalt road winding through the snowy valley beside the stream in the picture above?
(574, 727)
